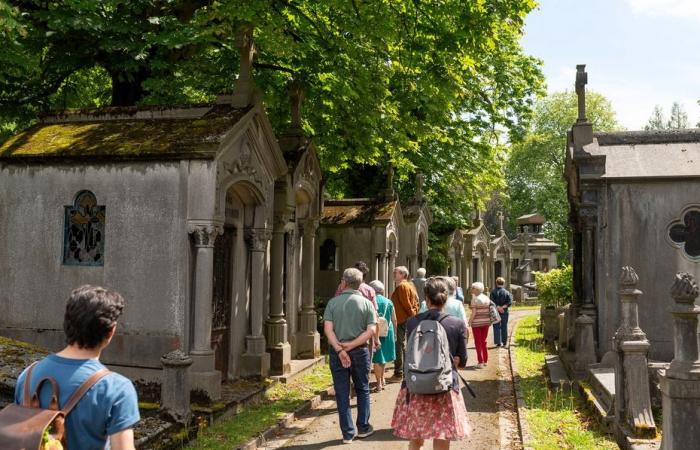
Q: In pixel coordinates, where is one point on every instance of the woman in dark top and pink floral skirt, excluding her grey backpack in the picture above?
(441, 417)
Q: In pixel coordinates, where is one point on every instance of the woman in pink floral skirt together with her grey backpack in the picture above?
(441, 416)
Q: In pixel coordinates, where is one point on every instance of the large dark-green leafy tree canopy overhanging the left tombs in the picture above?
(435, 87)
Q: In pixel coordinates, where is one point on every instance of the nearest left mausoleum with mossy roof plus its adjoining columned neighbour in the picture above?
(197, 215)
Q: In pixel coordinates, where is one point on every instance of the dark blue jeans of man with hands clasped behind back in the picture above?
(359, 371)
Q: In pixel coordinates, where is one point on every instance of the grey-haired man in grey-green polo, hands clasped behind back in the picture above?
(349, 323)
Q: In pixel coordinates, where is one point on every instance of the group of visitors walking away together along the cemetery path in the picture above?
(364, 326)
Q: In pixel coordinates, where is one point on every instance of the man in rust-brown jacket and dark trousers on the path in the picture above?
(405, 300)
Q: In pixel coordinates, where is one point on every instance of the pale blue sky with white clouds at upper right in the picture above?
(638, 53)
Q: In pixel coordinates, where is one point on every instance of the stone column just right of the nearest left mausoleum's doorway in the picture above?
(255, 362)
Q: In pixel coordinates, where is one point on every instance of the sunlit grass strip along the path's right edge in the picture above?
(555, 420)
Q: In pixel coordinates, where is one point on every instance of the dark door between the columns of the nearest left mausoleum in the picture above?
(221, 300)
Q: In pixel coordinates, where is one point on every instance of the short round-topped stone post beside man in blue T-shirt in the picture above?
(175, 386)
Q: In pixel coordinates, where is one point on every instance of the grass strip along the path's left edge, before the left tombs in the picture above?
(280, 400)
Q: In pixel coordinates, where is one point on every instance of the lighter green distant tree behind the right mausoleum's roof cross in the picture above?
(536, 165)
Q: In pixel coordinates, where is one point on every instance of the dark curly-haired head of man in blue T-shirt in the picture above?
(91, 316)
